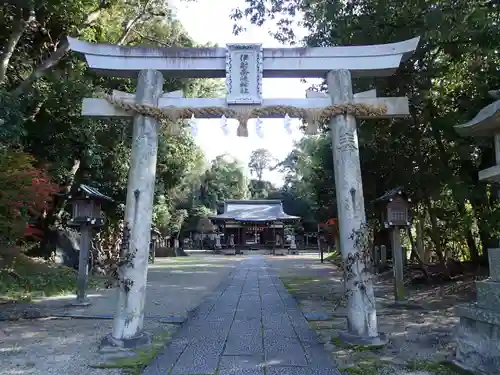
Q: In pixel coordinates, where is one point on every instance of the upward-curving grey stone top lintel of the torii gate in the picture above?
(305, 62)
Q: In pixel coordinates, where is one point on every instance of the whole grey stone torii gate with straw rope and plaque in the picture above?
(244, 66)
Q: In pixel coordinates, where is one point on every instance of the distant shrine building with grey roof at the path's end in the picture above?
(254, 223)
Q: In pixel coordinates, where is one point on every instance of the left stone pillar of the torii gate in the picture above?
(128, 321)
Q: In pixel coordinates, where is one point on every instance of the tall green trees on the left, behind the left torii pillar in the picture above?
(41, 90)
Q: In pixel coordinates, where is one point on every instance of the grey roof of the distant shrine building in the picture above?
(254, 211)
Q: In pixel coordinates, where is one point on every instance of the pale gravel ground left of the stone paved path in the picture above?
(63, 346)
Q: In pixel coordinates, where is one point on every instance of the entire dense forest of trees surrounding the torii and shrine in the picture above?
(46, 146)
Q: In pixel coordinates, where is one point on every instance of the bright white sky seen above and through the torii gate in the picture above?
(208, 21)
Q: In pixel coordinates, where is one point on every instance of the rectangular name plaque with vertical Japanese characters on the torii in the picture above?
(244, 73)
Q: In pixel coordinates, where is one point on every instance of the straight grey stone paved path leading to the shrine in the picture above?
(251, 325)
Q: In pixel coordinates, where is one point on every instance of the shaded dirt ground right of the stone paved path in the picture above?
(420, 334)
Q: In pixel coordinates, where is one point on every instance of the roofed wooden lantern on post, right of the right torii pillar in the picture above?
(394, 207)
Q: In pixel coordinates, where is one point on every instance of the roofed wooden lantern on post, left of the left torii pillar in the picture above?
(86, 204)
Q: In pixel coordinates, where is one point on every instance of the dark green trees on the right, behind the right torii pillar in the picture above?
(446, 81)
